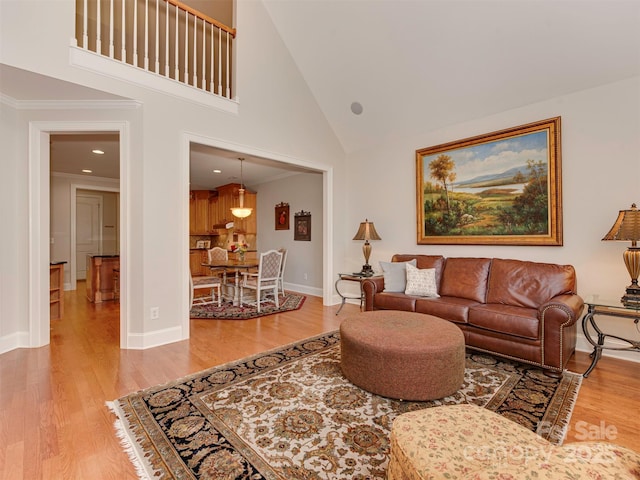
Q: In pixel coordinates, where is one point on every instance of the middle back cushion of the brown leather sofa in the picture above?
(465, 278)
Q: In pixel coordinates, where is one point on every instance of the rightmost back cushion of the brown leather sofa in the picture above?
(528, 284)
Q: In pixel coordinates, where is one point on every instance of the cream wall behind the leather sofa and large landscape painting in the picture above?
(600, 135)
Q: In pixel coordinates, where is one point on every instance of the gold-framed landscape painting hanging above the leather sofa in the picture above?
(501, 188)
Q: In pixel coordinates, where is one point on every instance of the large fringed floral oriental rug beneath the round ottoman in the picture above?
(289, 414)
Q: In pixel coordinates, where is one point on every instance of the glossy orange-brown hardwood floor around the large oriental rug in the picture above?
(54, 423)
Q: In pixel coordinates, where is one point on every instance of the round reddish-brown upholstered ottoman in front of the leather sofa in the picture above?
(405, 355)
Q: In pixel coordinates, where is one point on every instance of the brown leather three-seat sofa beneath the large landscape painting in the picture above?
(525, 311)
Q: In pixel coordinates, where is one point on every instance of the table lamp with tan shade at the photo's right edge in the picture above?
(627, 228)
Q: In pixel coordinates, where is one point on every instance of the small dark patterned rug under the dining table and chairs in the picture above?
(291, 301)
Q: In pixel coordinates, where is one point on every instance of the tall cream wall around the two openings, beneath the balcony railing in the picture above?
(277, 118)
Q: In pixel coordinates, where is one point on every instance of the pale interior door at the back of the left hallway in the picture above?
(88, 232)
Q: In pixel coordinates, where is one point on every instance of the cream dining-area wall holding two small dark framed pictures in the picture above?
(301, 192)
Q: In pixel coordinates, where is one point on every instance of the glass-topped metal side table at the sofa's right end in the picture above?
(596, 337)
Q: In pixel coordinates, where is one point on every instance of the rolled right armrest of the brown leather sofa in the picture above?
(558, 318)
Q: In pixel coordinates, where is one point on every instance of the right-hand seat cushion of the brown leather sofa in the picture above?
(518, 321)
